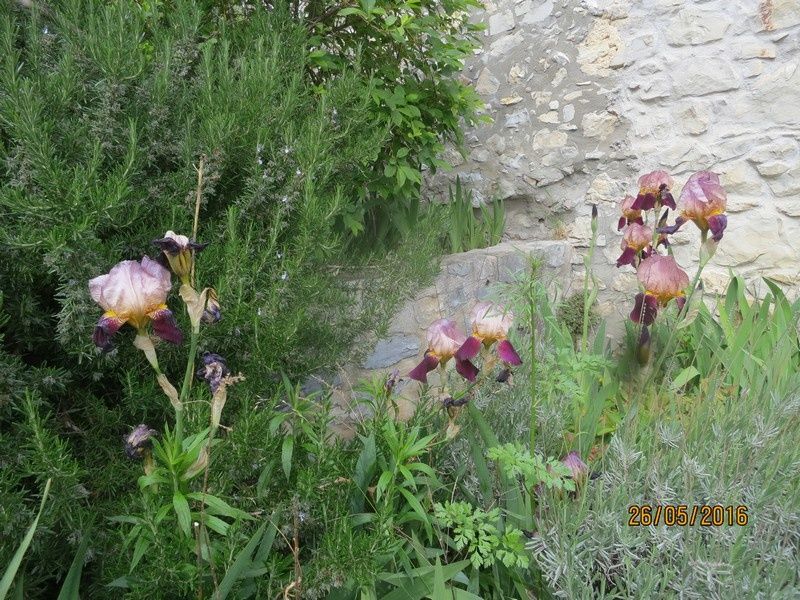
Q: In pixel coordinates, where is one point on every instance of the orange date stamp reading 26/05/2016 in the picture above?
(681, 515)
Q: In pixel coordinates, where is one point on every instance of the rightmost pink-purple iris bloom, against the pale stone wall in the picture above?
(703, 200)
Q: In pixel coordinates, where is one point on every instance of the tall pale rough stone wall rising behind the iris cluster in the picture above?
(586, 96)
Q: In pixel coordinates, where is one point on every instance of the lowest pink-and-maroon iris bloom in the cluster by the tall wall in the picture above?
(663, 280)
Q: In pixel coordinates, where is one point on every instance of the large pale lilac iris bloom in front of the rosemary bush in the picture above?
(134, 293)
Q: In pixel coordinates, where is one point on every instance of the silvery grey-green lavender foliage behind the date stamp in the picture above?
(718, 455)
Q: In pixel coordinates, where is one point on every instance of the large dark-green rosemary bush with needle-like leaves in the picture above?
(105, 111)
